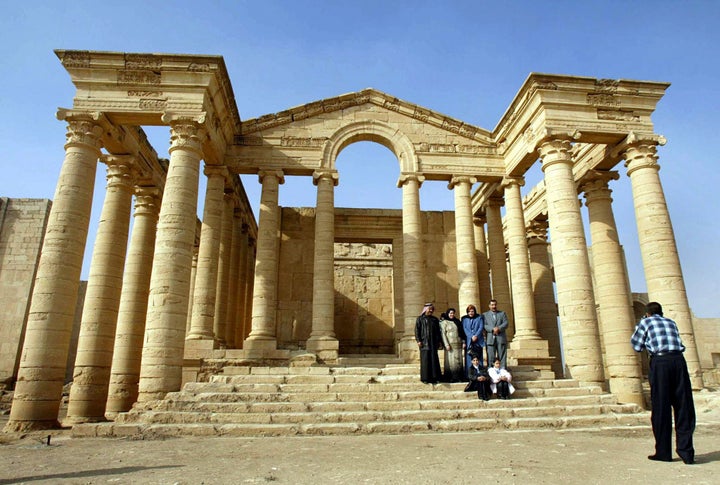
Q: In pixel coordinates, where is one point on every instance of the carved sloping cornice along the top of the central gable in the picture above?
(372, 97)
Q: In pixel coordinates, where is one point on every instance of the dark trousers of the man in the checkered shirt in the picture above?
(671, 392)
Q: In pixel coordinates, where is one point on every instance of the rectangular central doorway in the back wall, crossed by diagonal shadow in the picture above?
(364, 309)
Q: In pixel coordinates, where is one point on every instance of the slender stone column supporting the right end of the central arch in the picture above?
(412, 261)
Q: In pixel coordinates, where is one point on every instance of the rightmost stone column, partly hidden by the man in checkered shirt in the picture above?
(663, 273)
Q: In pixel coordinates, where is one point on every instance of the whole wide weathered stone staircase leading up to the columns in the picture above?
(360, 397)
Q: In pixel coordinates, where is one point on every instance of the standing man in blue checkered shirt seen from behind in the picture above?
(670, 388)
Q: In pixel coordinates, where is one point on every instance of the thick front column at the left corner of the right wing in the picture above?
(576, 300)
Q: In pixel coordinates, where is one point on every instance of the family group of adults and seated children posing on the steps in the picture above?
(465, 342)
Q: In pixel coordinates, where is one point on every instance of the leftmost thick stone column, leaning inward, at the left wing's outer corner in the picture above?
(41, 373)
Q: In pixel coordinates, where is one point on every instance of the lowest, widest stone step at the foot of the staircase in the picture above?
(161, 431)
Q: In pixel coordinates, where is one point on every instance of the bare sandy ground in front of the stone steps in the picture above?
(569, 456)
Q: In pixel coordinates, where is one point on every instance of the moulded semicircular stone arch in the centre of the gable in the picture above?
(375, 131)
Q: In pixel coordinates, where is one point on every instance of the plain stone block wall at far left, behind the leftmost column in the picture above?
(22, 228)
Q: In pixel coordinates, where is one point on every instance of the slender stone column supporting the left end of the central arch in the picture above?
(322, 339)
